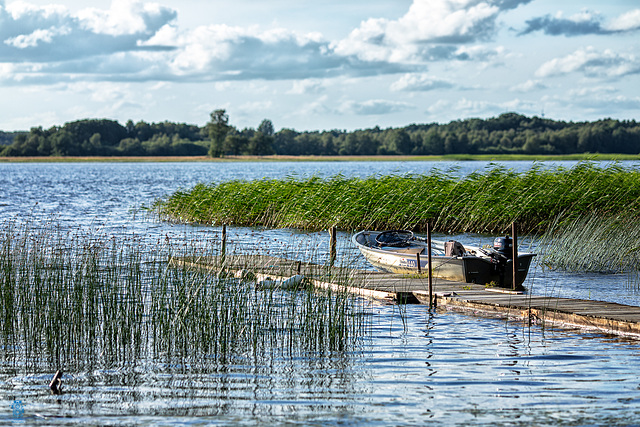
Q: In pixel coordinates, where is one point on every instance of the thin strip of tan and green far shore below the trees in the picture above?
(290, 158)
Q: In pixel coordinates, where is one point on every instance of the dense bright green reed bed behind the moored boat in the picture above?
(485, 201)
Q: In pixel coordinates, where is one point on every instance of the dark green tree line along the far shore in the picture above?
(510, 133)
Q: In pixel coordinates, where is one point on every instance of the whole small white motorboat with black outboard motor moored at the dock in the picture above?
(399, 251)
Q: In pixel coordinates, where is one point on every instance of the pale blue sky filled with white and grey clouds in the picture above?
(314, 65)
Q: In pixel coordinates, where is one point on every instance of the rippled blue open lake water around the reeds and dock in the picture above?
(416, 366)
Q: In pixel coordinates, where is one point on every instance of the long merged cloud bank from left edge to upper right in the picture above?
(138, 41)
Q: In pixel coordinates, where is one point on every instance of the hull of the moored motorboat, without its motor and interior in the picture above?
(466, 268)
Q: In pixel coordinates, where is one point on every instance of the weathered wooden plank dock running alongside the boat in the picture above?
(390, 288)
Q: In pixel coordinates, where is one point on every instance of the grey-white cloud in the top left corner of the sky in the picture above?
(53, 35)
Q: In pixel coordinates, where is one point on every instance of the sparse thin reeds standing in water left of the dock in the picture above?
(76, 300)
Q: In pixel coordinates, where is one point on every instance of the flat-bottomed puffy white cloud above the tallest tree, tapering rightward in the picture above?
(221, 52)
